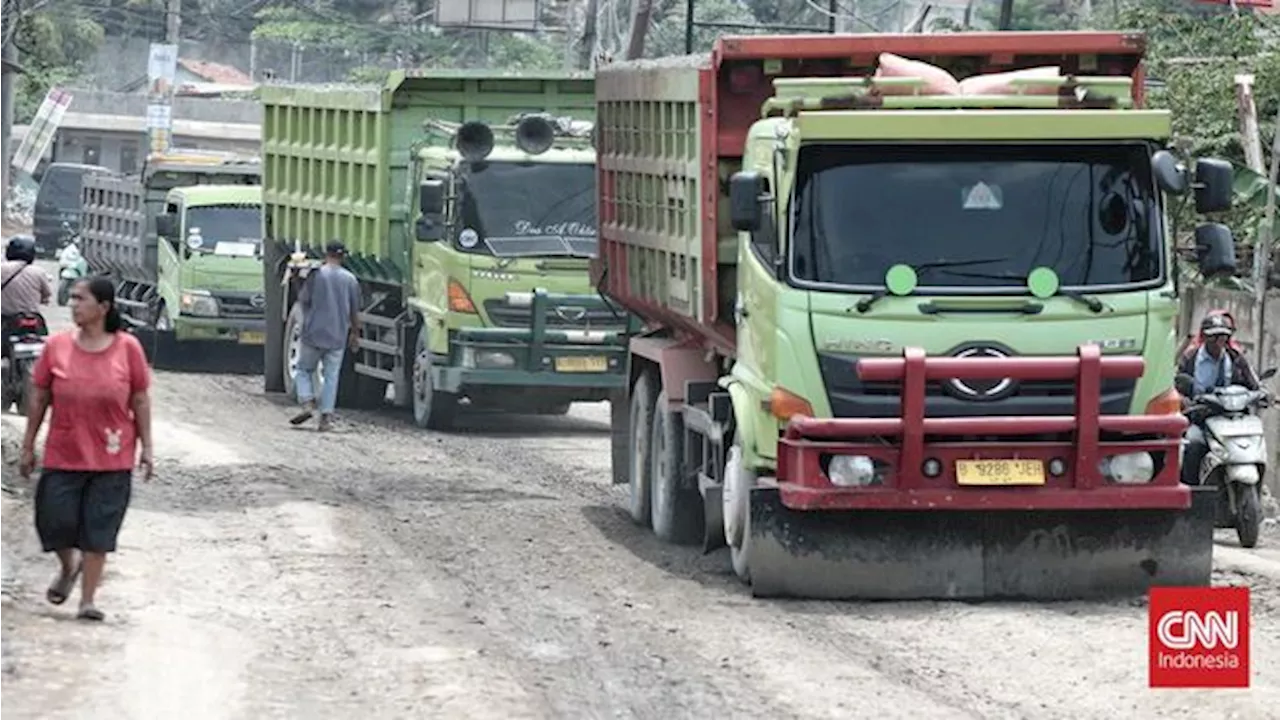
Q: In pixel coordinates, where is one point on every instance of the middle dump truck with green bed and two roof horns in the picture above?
(468, 206)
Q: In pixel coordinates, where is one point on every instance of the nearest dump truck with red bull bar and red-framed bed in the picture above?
(899, 344)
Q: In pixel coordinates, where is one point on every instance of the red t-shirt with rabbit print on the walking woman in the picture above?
(92, 427)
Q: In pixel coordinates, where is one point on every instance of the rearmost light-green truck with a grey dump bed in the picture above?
(182, 240)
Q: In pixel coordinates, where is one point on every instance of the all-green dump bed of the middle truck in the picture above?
(337, 158)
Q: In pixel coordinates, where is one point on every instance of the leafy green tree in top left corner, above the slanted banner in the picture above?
(53, 44)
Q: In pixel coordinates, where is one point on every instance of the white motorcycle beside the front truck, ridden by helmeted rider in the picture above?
(1237, 457)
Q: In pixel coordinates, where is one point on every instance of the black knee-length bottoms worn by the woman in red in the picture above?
(81, 511)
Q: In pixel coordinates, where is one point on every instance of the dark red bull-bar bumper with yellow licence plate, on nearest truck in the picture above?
(911, 463)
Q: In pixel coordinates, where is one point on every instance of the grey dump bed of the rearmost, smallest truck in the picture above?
(118, 233)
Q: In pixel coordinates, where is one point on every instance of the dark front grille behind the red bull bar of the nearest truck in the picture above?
(852, 398)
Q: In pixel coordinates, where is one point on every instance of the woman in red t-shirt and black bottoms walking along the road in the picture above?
(95, 379)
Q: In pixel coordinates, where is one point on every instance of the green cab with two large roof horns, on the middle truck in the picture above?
(501, 268)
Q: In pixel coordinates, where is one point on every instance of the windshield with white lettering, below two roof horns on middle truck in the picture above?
(520, 209)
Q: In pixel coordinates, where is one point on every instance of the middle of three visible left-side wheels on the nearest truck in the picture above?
(676, 511)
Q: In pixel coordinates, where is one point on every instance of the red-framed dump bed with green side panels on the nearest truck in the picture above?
(670, 134)
